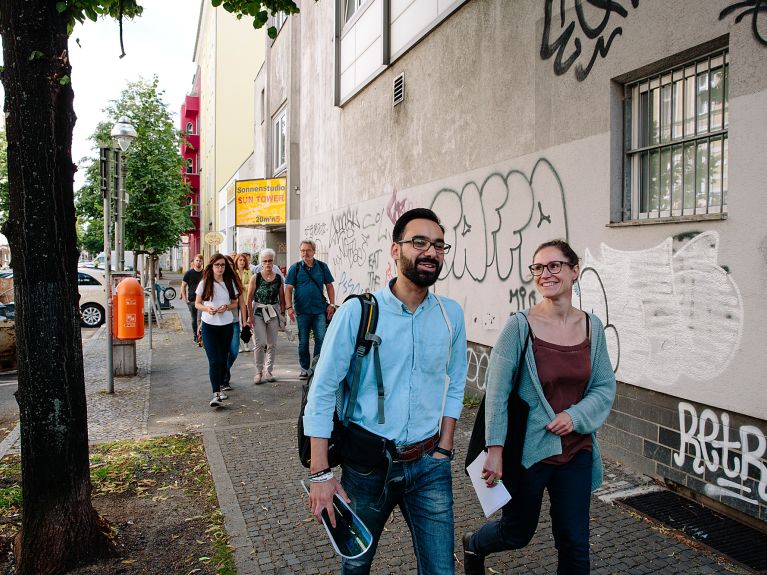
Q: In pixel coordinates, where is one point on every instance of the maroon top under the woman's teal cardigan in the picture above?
(564, 371)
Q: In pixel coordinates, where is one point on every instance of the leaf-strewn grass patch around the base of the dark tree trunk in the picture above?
(156, 470)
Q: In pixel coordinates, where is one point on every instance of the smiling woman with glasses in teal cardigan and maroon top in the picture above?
(568, 382)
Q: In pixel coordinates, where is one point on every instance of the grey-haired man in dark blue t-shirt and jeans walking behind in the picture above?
(306, 303)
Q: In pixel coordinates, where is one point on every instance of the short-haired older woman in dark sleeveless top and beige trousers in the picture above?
(266, 300)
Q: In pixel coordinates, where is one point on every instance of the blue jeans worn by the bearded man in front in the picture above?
(423, 490)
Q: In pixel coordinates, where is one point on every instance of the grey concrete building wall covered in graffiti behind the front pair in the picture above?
(514, 136)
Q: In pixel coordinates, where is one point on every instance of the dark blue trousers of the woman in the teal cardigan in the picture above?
(569, 487)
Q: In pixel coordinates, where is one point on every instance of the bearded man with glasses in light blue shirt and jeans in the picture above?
(422, 369)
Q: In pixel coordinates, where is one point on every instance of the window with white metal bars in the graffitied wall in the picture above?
(676, 141)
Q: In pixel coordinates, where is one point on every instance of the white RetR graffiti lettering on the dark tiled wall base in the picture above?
(714, 445)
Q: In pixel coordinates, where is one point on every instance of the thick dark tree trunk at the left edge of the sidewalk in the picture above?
(60, 528)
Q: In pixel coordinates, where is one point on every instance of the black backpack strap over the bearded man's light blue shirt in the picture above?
(366, 339)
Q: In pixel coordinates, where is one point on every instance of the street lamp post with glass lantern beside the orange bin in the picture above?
(122, 133)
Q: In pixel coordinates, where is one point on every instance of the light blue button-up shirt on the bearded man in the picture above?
(414, 357)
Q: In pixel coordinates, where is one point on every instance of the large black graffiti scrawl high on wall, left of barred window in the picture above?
(596, 26)
